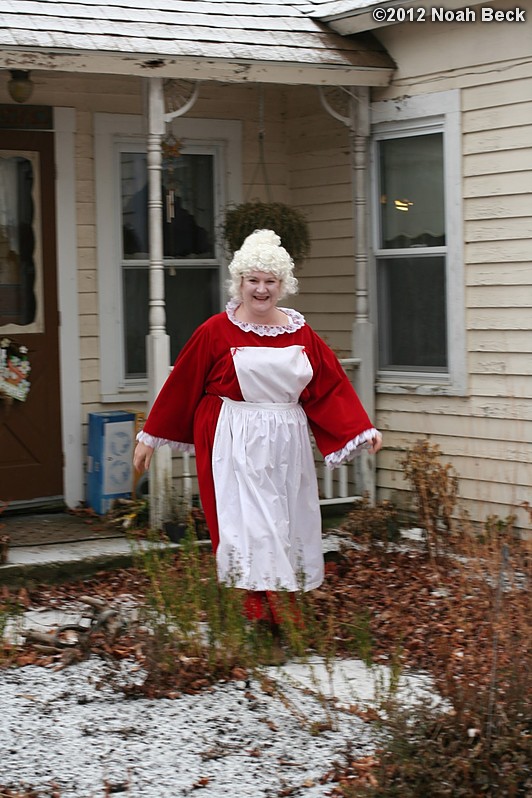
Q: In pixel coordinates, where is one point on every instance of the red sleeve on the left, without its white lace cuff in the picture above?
(172, 414)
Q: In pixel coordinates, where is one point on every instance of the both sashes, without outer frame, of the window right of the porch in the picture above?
(412, 279)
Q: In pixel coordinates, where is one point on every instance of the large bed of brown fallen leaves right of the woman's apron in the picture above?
(426, 615)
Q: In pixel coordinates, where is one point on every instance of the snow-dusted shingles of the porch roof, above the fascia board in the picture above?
(254, 32)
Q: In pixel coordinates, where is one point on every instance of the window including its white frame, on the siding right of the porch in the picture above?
(417, 242)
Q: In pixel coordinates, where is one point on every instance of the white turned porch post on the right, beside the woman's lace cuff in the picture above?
(363, 334)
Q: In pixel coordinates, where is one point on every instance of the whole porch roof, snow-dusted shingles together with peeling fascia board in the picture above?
(223, 40)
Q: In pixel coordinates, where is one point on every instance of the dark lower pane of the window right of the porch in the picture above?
(412, 313)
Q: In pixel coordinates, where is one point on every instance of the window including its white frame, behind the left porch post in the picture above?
(196, 183)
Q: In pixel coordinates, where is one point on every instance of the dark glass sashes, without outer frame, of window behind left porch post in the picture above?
(191, 269)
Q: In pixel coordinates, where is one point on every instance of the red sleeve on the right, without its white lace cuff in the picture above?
(334, 411)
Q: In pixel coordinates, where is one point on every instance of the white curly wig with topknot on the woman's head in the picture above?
(262, 252)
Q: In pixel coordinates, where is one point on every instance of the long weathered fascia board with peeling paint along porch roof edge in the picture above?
(219, 70)
